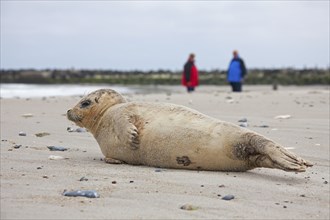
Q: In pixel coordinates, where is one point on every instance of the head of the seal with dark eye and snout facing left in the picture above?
(90, 108)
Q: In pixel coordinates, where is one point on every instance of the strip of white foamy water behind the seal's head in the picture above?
(13, 90)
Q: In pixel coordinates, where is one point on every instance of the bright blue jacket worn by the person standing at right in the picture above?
(236, 70)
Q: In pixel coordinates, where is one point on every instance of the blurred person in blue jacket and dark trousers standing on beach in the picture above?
(236, 72)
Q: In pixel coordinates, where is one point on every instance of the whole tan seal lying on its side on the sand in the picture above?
(173, 136)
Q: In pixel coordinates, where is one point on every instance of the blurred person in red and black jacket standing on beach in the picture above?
(190, 74)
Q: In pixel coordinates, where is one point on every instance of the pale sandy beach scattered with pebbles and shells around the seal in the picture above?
(32, 184)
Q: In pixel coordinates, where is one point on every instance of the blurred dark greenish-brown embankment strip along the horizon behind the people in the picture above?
(286, 76)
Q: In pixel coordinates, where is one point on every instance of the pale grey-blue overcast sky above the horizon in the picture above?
(154, 35)
